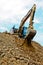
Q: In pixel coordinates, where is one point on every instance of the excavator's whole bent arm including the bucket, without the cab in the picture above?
(30, 14)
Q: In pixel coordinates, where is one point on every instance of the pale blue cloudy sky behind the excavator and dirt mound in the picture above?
(12, 12)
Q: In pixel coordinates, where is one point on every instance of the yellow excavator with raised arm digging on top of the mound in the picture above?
(30, 29)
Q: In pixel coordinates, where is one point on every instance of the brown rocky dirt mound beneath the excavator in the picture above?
(17, 51)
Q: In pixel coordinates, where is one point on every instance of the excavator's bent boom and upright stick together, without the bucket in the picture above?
(30, 14)
